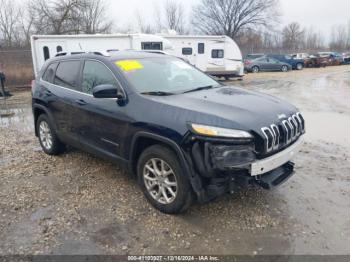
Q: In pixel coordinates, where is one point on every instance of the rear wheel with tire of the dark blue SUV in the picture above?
(48, 139)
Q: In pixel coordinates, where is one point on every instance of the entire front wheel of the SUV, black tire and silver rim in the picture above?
(163, 180)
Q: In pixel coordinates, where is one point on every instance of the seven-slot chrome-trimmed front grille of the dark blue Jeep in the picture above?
(283, 133)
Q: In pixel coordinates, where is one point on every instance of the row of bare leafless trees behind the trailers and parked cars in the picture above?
(252, 23)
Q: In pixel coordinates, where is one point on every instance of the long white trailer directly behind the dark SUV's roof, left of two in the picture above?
(48, 46)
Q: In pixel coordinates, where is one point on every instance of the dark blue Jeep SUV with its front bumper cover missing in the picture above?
(184, 135)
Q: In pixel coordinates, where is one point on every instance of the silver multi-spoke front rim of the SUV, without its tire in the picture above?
(160, 181)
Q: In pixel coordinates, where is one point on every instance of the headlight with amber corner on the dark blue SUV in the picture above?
(219, 132)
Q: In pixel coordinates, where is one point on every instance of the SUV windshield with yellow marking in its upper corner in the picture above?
(164, 74)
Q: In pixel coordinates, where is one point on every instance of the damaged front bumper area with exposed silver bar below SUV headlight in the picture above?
(226, 166)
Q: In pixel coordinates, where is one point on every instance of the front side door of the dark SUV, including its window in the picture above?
(101, 122)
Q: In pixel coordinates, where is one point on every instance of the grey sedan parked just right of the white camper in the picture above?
(266, 64)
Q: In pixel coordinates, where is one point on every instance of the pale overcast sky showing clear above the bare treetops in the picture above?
(320, 14)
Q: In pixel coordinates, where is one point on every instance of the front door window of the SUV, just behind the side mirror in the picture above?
(95, 74)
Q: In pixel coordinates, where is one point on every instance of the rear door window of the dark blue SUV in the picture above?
(67, 74)
